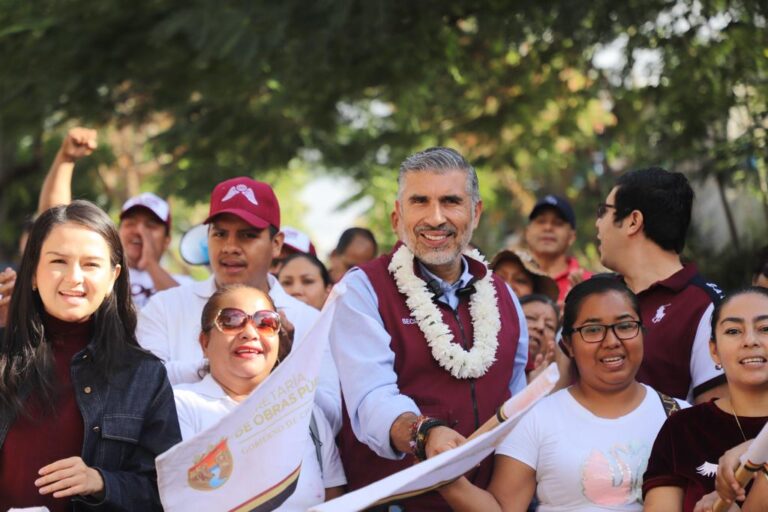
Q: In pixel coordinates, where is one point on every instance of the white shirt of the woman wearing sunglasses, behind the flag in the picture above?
(202, 404)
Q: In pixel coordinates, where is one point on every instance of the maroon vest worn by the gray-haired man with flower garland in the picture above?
(464, 404)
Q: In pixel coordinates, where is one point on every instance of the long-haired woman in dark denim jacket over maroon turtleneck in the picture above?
(83, 410)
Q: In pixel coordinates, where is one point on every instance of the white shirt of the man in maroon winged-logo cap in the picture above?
(169, 327)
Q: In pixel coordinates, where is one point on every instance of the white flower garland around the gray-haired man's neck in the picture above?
(483, 308)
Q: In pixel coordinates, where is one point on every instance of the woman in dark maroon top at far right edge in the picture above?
(683, 465)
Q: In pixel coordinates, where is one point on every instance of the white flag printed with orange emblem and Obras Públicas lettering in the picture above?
(251, 458)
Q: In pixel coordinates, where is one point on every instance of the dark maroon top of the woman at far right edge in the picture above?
(688, 447)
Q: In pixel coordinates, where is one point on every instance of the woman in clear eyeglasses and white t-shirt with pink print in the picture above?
(585, 447)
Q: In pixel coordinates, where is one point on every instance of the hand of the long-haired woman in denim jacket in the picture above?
(69, 477)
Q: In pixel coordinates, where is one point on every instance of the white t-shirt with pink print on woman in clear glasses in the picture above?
(584, 462)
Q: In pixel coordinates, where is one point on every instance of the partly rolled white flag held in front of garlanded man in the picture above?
(446, 467)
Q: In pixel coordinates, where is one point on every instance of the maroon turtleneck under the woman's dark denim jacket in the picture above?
(39, 438)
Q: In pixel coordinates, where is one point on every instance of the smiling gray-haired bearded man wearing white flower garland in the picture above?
(427, 340)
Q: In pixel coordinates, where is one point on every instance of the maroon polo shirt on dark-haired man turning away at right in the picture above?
(672, 311)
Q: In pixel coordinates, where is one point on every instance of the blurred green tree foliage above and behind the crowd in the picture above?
(351, 87)
